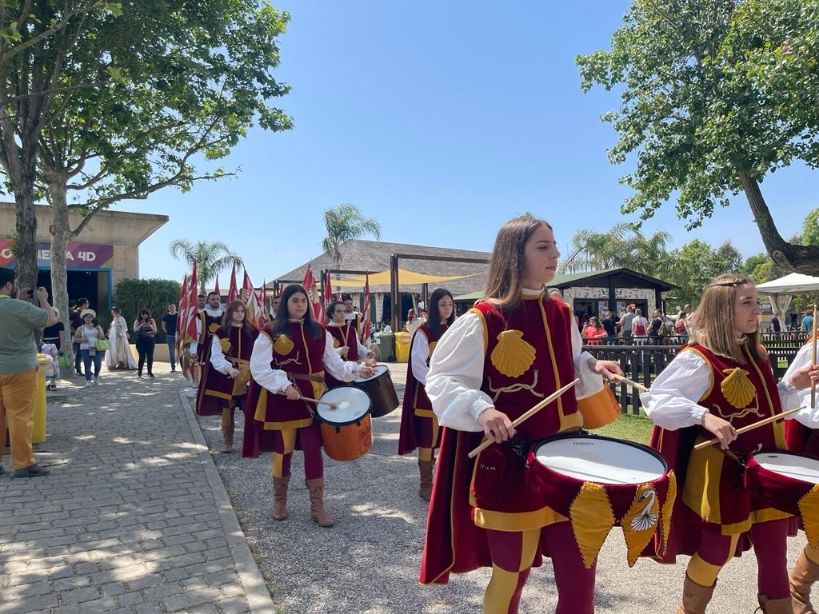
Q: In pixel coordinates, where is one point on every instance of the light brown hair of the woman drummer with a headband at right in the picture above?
(714, 324)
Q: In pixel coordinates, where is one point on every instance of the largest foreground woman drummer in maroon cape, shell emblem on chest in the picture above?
(496, 361)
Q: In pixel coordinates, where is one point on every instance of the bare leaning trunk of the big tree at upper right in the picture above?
(790, 257)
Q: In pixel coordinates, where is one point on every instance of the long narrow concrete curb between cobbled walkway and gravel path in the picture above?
(258, 597)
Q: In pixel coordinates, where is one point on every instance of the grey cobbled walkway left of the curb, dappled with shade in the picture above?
(133, 517)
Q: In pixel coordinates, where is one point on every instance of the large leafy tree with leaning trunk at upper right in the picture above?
(715, 94)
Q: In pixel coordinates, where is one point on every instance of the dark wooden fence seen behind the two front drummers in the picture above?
(643, 363)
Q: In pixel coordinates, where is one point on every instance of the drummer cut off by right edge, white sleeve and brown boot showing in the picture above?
(805, 440)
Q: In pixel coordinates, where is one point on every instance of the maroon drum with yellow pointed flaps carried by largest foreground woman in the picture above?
(598, 482)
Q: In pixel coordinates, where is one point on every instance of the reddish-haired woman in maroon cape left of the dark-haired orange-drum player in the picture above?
(226, 374)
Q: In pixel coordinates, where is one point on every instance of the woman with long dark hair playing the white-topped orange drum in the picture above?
(288, 362)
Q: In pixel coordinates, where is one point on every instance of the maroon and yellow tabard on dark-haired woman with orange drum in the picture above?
(301, 357)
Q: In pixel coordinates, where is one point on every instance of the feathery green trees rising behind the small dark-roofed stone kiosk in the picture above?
(624, 245)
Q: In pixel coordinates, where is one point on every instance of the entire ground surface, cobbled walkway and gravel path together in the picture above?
(134, 518)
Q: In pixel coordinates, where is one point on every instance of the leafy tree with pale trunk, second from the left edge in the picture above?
(158, 84)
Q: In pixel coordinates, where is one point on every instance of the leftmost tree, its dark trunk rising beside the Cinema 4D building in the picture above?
(36, 41)
